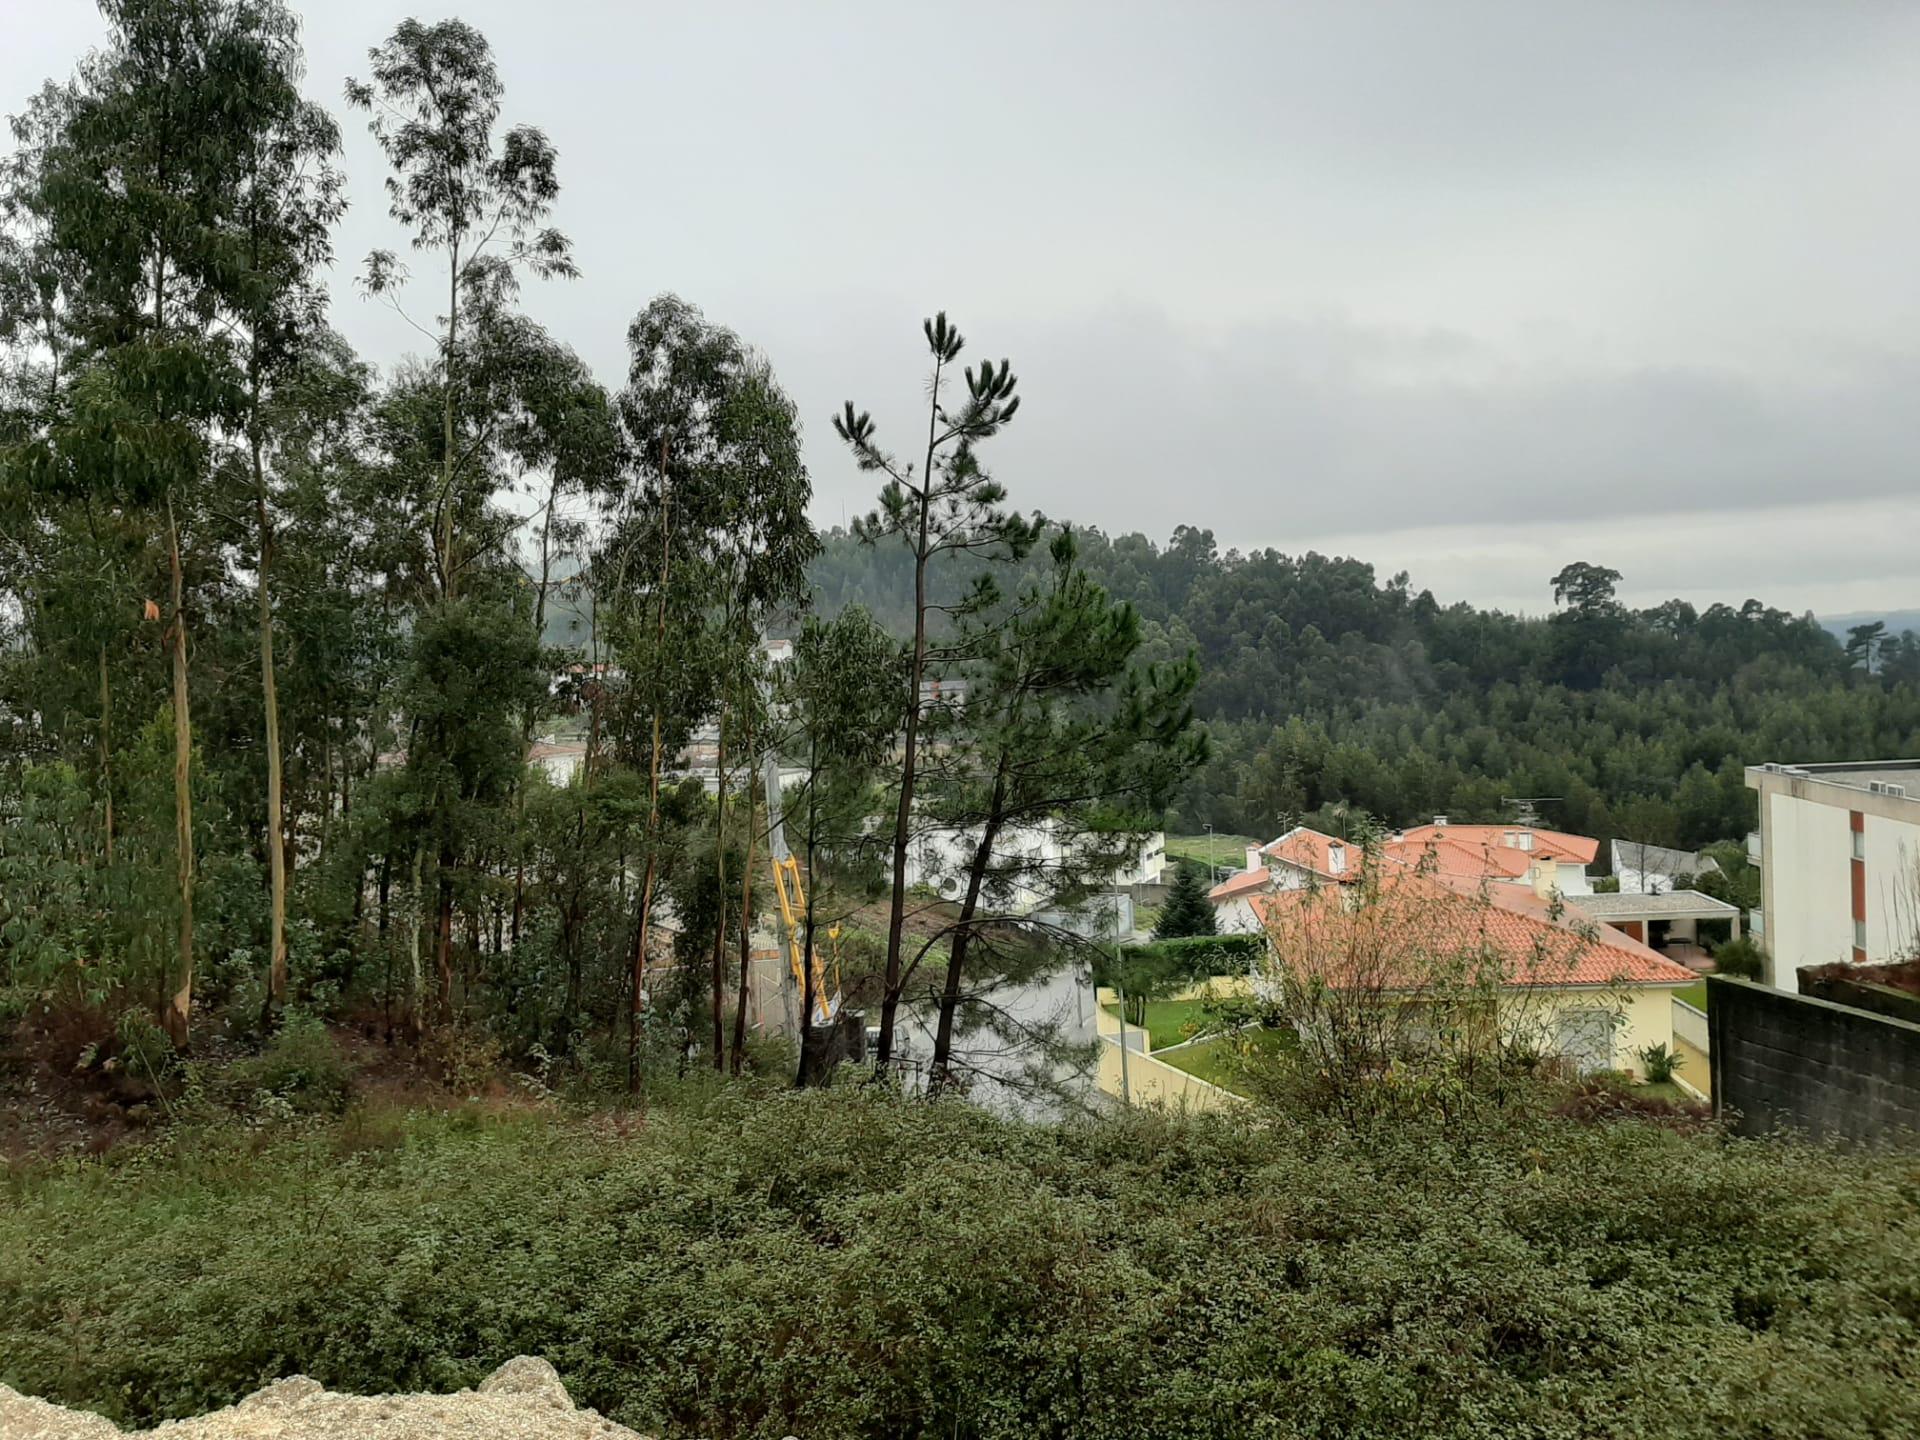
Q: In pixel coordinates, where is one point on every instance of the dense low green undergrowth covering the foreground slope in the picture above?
(842, 1264)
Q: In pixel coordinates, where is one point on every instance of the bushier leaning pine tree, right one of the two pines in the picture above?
(1065, 756)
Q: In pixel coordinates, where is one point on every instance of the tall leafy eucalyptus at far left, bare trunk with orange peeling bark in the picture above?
(141, 193)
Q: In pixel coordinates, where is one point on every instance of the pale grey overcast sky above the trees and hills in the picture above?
(1462, 289)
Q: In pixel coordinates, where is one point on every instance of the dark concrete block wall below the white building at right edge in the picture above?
(1800, 1063)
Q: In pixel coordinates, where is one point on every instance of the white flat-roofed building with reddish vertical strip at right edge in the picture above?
(1840, 863)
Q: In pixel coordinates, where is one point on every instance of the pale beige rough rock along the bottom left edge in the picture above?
(521, 1401)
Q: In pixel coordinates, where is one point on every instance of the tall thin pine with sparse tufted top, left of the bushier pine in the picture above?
(944, 506)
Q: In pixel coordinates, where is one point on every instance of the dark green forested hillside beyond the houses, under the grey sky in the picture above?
(1326, 686)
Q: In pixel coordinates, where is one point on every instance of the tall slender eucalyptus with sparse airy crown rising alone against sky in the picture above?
(471, 197)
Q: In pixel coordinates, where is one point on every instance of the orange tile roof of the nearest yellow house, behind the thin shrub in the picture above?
(1399, 932)
